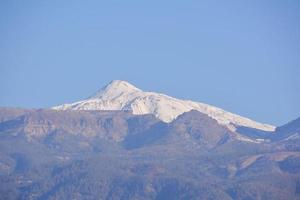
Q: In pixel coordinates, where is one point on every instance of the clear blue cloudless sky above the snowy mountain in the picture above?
(243, 56)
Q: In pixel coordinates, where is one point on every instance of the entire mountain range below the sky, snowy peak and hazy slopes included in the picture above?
(123, 143)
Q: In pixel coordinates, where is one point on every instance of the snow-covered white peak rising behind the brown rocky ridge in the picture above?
(121, 95)
